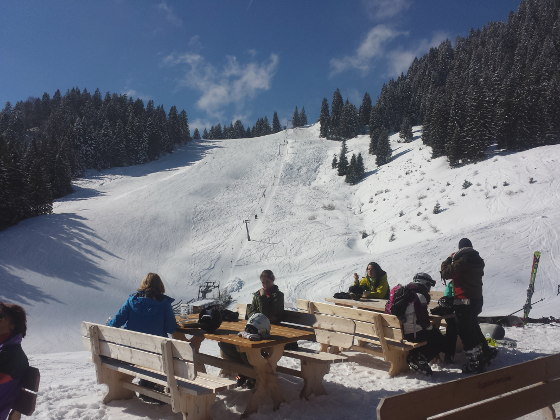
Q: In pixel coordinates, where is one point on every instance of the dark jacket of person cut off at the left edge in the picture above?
(13, 363)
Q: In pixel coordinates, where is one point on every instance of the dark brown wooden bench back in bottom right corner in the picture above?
(501, 394)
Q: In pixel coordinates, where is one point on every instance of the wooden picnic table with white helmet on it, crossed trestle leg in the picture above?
(262, 355)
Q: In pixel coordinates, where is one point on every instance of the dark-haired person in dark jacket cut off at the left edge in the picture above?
(13, 361)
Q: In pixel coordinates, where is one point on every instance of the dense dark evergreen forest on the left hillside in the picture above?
(47, 141)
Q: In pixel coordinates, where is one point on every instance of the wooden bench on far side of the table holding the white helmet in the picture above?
(314, 364)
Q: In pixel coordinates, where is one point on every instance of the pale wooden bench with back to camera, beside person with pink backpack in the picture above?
(342, 328)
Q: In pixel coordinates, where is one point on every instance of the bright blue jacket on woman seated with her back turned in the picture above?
(146, 315)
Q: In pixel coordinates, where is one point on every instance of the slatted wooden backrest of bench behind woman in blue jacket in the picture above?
(159, 354)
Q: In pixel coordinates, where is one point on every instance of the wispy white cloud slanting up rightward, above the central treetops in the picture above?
(372, 46)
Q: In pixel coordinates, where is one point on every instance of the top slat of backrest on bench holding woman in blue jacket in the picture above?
(140, 341)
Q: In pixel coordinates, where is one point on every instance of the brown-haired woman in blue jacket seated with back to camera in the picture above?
(147, 311)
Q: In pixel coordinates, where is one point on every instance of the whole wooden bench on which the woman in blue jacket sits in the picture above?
(121, 355)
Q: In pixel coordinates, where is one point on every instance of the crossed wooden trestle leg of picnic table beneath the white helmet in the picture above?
(266, 378)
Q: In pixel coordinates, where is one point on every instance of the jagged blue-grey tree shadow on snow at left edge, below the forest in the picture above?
(59, 246)
